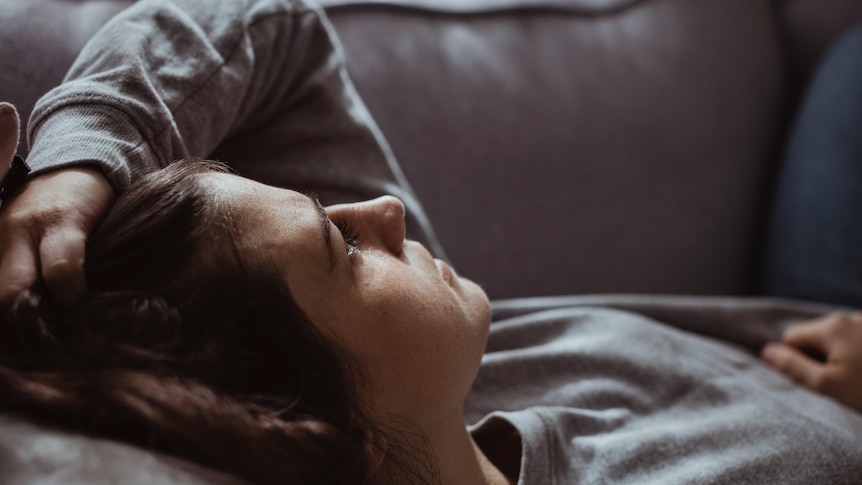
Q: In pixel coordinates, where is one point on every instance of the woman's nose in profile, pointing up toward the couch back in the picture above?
(378, 222)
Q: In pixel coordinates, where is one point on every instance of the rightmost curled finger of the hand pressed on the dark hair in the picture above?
(62, 254)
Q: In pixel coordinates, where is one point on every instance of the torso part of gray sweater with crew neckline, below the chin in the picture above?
(601, 395)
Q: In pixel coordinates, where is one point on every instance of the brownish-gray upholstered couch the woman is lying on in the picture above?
(559, 146)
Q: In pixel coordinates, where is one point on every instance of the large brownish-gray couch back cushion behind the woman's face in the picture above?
(562, 153)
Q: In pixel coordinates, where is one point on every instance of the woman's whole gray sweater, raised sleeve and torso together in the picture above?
(595, 395)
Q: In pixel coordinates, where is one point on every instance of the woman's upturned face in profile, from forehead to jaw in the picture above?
(417, 329)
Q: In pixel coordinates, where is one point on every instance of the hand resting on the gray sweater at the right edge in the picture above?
(838, 338)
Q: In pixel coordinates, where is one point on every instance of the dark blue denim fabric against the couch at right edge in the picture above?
(814, 243)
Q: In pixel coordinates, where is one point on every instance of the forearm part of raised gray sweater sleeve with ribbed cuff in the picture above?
(170, 79)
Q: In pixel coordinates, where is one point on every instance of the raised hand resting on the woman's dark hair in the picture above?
(45, 228)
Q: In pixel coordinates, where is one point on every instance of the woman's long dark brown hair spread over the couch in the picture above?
(181, 347)
